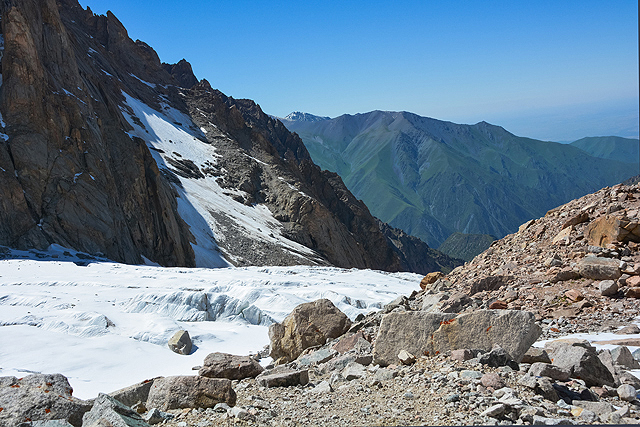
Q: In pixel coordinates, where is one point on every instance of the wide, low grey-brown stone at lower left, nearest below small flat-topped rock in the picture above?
(179, 392)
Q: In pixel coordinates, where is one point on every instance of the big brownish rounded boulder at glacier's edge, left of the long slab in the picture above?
(308, 325)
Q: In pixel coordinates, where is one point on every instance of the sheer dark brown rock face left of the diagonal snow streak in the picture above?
(69, 173)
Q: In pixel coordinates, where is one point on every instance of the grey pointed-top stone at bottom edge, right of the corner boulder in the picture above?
(107, 411)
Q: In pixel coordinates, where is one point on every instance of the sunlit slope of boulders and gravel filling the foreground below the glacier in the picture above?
(458, 351)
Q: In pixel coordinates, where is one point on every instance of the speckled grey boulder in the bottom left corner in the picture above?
(39, 397)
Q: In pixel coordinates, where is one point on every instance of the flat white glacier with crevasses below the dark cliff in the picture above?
(105, 325)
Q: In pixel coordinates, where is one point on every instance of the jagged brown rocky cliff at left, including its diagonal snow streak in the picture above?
(108, 151)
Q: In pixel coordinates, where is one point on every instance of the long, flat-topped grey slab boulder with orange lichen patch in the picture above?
(422, 333)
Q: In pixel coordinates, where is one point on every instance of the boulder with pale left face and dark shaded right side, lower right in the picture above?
(582, 362)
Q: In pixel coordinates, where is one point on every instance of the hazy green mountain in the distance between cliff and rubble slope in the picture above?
(431, 178)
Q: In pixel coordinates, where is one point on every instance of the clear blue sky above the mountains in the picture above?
(555, 70)
